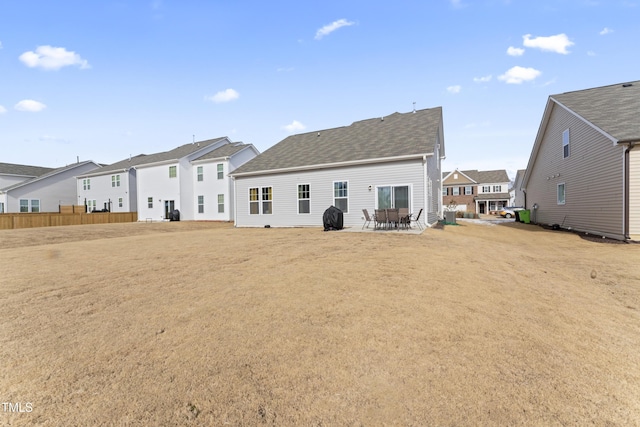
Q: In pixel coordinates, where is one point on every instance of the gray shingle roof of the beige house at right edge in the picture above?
(615, 109)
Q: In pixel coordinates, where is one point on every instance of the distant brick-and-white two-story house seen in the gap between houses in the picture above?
(481, 192)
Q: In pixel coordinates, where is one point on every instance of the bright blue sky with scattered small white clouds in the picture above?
(108, 79)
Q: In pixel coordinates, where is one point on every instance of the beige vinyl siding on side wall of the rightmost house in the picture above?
(592, 174)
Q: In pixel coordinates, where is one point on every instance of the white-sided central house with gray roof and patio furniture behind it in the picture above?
(385, 162)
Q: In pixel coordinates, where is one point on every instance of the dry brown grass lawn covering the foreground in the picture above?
(203, 324)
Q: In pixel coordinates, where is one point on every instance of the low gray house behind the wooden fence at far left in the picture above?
(45, 193)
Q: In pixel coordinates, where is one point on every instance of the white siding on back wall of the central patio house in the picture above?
(360, 178)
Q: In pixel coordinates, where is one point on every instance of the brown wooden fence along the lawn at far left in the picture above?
(51, 219)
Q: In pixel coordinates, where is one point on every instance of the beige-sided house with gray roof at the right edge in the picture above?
(584, 168)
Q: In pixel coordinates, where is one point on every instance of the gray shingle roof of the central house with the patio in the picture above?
(400, 134)
